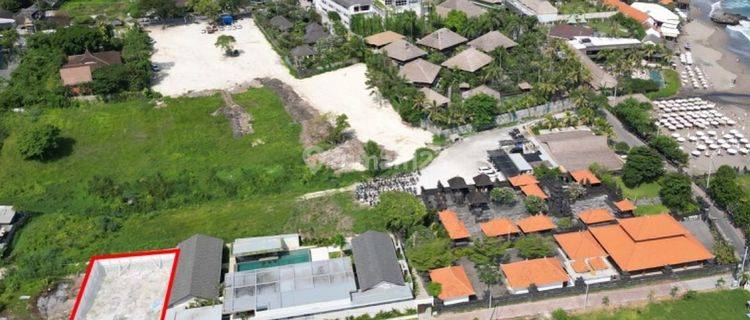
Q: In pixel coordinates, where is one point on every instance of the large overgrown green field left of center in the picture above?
(263, 175)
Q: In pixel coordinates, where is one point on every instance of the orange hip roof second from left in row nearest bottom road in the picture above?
(540, 272)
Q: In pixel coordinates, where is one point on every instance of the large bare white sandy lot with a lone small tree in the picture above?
(190, 62)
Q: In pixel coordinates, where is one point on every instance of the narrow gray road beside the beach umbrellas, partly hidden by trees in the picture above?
(720, 218)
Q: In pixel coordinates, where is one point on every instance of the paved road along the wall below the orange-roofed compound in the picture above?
(617, 298)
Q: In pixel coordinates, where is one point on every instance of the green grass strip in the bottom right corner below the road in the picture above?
(719, 305)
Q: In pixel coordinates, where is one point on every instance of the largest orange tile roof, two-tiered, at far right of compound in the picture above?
(655, 250)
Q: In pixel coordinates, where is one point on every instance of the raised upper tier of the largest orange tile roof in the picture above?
(652, 227)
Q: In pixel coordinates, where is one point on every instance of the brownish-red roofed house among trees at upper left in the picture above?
(80, 68)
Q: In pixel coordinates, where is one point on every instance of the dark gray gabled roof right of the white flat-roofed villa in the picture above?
(375, 260)
